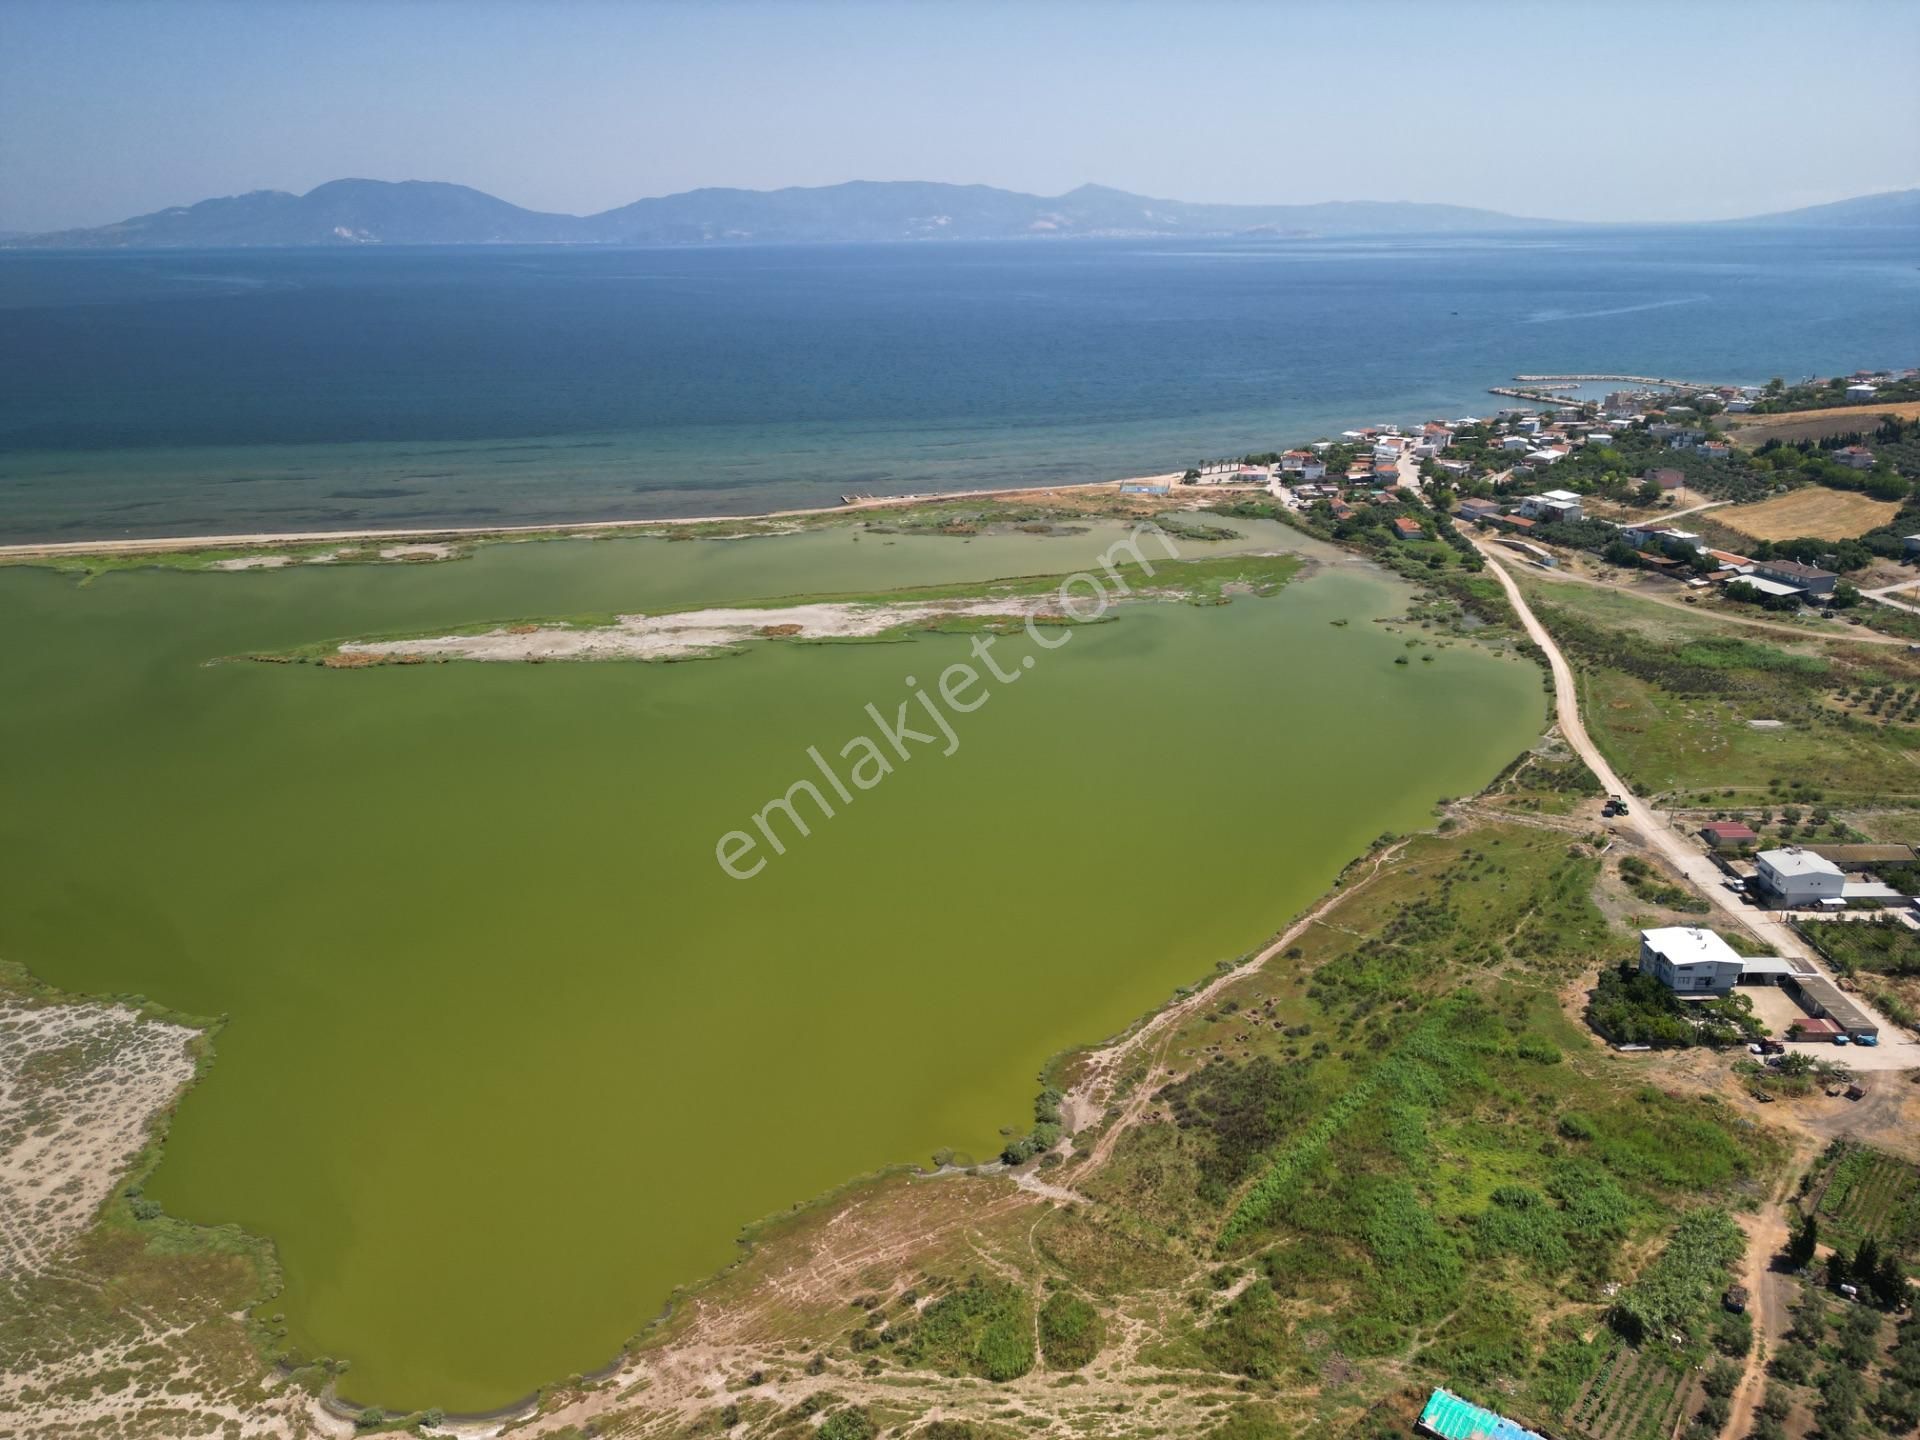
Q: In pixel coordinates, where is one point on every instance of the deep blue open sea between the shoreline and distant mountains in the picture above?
(174, 393)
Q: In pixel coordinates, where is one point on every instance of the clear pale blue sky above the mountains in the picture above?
(1700, 110)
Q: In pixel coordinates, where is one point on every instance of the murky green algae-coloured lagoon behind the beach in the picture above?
(506, 1055)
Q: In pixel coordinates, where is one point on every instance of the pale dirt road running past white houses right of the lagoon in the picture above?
(1896, 1051)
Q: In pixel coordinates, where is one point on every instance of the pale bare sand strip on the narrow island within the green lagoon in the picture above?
(690, 633)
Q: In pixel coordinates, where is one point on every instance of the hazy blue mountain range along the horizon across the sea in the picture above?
(437, 214)
